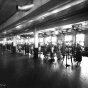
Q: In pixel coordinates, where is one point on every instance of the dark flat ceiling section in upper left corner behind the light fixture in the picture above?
(9, 7)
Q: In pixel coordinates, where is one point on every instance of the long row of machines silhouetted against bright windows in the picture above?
(55, 44)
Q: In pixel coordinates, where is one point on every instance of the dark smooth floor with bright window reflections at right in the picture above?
(17, 71)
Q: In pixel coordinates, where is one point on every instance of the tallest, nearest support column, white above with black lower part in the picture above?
(35, 44)
